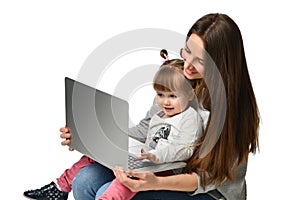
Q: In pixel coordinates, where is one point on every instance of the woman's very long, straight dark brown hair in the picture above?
(239, 132)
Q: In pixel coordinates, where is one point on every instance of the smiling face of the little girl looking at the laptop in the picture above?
(171, 103)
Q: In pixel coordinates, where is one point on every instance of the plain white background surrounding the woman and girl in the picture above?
(41, 42)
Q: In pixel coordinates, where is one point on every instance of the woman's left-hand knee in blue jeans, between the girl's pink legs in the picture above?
(89, 179)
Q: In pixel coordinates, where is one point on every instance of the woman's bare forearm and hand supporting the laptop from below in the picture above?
(149, 181)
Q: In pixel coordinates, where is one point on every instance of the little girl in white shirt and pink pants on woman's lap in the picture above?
(173, 130)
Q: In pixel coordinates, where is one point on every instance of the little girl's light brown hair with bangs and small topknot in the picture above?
(169, 77)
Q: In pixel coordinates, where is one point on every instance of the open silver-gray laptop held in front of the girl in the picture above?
(99, 123)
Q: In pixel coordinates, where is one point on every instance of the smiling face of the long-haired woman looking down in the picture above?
(193, 55)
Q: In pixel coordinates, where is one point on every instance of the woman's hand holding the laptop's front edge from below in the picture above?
(141, 181)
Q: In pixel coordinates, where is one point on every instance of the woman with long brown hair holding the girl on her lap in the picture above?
(214, 54)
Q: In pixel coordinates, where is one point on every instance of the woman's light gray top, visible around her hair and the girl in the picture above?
(231, 190)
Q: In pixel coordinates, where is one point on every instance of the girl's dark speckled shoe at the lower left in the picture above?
(49, 191)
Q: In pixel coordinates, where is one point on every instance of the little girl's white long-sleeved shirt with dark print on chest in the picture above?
(172, 138)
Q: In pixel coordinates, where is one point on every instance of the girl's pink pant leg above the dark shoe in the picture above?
(65, 180)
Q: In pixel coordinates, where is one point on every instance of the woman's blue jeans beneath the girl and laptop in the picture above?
(93, 180)
